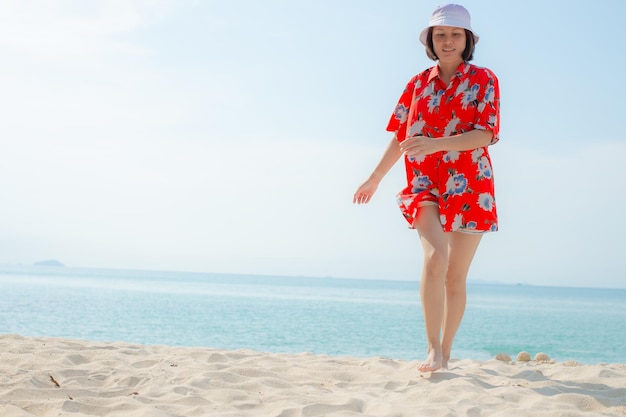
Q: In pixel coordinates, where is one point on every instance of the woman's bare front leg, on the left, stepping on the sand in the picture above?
(435, 247)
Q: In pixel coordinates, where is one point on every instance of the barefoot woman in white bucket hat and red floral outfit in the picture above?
(443, 124)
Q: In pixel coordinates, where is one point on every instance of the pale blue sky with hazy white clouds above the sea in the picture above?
(230, 136)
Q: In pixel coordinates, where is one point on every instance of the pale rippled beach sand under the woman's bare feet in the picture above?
(120, 379)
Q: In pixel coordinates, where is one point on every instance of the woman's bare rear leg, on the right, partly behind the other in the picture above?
(461, 250)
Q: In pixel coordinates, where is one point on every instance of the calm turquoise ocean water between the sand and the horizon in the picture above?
(337, 317)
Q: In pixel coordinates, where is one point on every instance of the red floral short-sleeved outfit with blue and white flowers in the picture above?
(459, 182)
